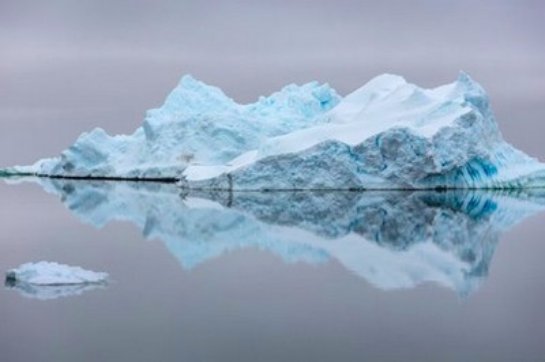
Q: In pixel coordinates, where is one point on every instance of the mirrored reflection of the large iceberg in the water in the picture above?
(391, 239)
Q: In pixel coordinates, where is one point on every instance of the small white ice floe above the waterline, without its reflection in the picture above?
(45, 273)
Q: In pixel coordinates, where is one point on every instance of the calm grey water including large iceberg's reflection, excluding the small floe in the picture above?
(275, 277)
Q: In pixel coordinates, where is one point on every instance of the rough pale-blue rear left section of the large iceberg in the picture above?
(197, 124)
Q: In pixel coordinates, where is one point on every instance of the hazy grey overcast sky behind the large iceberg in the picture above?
(67, 67)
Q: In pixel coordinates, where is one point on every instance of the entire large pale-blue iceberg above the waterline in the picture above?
(386, 134)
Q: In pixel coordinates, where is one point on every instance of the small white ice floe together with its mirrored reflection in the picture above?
(49, 280)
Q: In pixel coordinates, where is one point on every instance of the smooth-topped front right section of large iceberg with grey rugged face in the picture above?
(387, 134)
